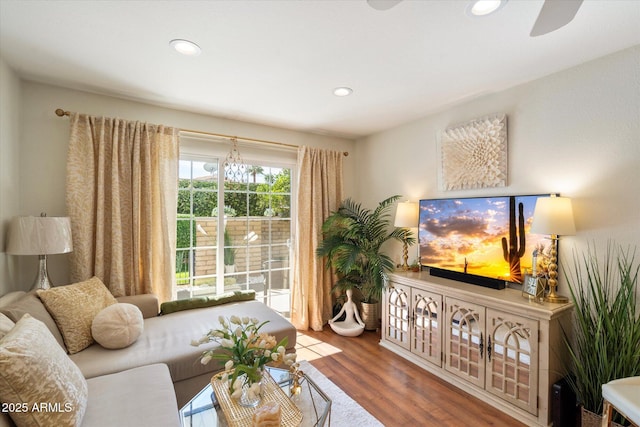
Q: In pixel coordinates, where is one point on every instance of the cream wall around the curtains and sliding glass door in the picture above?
(44, 139)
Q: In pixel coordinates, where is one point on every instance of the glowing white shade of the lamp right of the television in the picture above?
(553, 215)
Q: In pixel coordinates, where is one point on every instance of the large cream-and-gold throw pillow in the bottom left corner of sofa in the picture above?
(38, 379)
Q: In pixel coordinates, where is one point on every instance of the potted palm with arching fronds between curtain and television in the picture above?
(353, 238)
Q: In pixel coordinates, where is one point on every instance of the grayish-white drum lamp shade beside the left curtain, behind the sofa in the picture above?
(39, 235)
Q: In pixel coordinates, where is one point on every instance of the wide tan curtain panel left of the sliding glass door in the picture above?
(121, 196)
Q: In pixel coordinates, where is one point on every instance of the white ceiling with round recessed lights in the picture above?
(277, 62)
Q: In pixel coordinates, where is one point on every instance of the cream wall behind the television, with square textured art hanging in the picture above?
(576, 132)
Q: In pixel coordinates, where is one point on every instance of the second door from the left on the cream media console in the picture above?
(426, 337)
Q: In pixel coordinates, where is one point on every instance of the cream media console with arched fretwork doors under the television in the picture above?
(493, 344)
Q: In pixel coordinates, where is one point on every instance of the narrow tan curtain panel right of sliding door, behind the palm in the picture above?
(319, 193)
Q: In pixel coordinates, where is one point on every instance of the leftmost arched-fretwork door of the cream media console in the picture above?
(397, 314)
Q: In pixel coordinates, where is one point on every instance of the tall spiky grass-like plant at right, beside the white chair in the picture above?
(606, 342)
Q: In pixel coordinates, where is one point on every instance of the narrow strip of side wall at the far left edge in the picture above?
(9, 157)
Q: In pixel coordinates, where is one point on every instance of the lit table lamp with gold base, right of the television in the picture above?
(553, 216)
